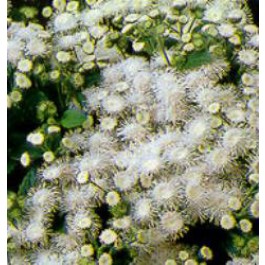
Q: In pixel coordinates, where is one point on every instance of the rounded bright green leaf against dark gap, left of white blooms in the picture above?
(72, 119)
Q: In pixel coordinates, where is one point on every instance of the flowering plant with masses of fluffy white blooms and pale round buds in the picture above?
(159, 118)
